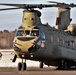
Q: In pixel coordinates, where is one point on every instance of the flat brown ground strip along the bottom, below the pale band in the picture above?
(35, 71)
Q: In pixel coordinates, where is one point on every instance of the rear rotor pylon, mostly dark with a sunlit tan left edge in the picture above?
(63, 18)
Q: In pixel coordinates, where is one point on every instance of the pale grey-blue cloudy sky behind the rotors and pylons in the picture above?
(12, 19)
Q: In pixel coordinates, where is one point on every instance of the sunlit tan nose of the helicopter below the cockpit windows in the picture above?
(23, 44)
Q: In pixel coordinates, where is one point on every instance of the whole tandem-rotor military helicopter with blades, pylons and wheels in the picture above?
(55, 46)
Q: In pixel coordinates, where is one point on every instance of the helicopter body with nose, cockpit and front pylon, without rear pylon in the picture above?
(44, 43)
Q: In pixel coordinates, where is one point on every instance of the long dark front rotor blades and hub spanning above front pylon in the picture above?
(29, 6)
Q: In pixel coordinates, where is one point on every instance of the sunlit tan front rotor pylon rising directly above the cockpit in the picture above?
(31, 18)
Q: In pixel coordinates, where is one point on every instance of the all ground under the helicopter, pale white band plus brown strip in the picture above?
(9, 68)
